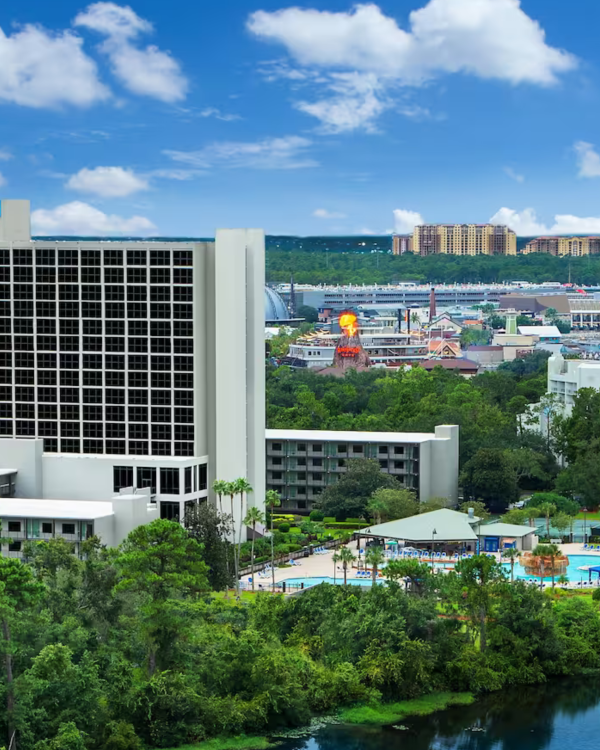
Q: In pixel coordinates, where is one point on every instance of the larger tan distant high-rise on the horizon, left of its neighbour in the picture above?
(463, 239)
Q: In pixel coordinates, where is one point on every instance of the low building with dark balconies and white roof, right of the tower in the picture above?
(302, 463)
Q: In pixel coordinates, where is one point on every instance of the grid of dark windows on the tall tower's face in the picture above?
(65, 315)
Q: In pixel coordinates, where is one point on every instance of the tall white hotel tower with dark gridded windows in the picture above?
(130, 364)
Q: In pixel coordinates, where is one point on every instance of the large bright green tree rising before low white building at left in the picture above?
(163, 565)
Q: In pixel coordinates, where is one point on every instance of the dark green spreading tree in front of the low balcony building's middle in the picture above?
(349, 497)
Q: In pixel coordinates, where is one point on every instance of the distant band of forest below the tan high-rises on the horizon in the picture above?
(382, 268)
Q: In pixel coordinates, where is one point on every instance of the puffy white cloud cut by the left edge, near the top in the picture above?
(40, 69)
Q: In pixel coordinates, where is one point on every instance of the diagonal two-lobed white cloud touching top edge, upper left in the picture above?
(149, 71)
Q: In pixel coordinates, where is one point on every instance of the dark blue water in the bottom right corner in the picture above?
(563, 715)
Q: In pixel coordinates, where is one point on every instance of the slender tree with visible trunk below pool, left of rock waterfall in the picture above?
(481, 576)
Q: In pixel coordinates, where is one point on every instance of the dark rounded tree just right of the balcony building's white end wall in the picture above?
(490, 475)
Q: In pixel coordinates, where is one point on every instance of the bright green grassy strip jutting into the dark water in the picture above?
(390, 713)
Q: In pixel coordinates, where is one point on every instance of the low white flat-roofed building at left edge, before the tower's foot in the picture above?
(35, 520)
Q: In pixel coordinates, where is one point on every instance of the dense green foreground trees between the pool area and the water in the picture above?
(129, 649)
